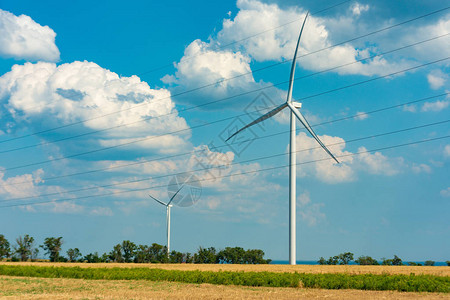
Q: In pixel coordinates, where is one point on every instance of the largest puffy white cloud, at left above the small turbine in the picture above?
(47, 95)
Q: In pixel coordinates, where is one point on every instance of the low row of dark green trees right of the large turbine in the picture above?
(347, 257)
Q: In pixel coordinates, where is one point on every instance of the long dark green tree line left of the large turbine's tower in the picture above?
(126, 252)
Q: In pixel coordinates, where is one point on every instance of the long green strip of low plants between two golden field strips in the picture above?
(407, 283)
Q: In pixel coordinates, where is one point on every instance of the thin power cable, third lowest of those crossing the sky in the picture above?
(229, 144)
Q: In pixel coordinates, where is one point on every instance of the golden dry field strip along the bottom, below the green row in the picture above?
(61, 288)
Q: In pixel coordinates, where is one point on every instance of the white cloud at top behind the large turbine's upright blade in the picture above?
(255, 16)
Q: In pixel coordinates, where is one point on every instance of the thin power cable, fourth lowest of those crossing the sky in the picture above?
(217, 121)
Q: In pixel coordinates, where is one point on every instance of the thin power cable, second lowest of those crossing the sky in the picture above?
(235, 163)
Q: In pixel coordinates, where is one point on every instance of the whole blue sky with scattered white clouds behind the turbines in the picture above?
(104, 102)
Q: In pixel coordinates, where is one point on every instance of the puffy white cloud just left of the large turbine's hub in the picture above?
(210, 70)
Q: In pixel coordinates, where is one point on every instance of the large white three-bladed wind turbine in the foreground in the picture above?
(293, 107)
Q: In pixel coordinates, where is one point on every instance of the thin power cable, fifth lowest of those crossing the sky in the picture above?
(149, 118)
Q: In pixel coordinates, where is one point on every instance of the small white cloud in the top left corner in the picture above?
(22, 38)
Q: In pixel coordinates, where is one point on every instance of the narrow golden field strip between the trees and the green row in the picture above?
(314, 269)
